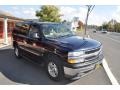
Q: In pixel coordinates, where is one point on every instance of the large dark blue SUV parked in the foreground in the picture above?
(64, 54)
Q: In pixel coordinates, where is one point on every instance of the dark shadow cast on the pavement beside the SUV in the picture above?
(24, 72)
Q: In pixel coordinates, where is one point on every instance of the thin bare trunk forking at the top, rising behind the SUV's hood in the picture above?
(89, 10)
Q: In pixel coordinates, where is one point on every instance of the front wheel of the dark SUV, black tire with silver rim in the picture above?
(54, 68)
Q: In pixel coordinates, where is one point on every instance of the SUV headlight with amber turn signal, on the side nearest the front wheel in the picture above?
(74, 57)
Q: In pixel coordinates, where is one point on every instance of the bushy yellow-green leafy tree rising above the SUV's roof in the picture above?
(48, 13)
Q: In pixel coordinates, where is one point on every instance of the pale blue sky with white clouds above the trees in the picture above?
(99, 15)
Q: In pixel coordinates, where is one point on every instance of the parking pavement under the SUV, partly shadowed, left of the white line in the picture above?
(21, 71)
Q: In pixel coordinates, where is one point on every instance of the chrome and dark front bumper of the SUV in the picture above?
(82, 69)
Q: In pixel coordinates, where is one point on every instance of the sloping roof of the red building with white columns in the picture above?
(4, 14)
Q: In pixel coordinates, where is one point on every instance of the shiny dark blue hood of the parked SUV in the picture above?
(75, 43)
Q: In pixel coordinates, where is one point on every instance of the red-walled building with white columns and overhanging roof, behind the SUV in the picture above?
(7, 23)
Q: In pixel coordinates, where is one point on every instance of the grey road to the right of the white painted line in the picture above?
(111, 50)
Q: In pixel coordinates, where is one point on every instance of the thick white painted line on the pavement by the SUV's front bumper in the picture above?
(109, 73)
